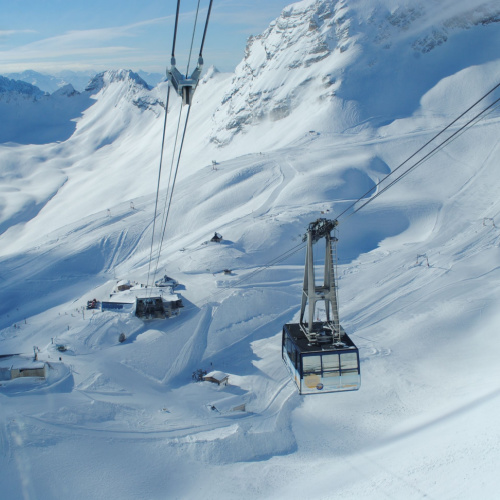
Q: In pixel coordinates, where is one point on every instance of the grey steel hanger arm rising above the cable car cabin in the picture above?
(327, 293)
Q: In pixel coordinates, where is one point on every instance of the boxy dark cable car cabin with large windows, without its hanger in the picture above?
(320, 367)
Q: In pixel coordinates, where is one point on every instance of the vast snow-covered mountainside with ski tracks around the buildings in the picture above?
(126, 420)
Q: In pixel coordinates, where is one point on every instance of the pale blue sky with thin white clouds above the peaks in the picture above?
(56, 35)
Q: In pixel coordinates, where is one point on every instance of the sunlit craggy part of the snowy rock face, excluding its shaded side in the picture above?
(296, 55)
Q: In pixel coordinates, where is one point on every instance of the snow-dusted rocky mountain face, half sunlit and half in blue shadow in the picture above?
(344, 53)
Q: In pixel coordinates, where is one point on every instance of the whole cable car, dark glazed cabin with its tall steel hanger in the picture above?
(319, 355)
